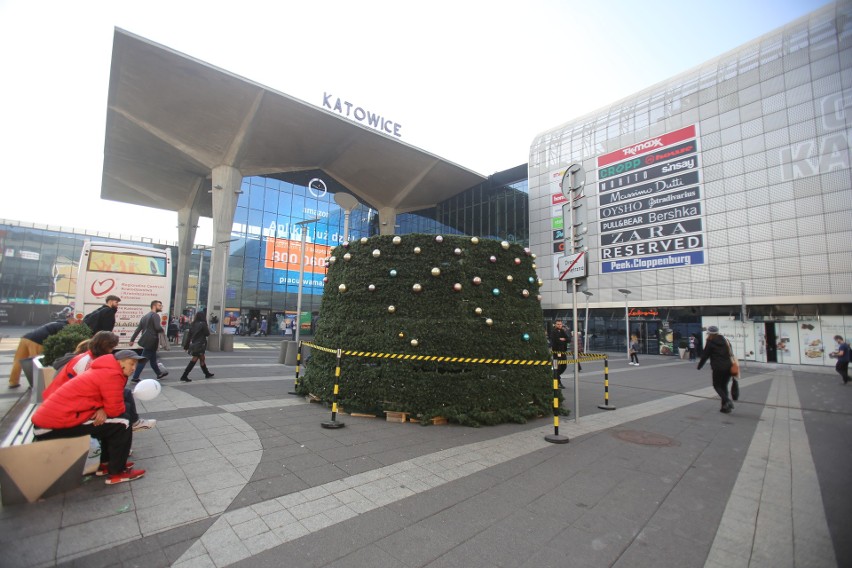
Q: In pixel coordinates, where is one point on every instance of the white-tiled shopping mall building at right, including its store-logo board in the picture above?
(727, 185)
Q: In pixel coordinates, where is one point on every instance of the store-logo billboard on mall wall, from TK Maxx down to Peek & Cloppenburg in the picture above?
(650, 204)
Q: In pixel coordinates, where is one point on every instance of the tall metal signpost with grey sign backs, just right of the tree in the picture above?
(572, 266)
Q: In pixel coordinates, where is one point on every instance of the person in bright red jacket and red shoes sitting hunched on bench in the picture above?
(93, 404)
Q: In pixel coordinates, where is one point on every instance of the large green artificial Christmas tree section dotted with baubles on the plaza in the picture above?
(407, 311)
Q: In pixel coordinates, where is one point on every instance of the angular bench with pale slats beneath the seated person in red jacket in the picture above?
(30, 471)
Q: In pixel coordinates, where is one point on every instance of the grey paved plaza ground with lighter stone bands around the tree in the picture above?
(240, 473)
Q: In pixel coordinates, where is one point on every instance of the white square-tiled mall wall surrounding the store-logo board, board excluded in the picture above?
(775, 129)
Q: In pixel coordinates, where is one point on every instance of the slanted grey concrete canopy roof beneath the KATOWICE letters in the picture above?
(171, 119)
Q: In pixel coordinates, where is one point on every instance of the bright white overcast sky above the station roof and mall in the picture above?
(470, 81)
